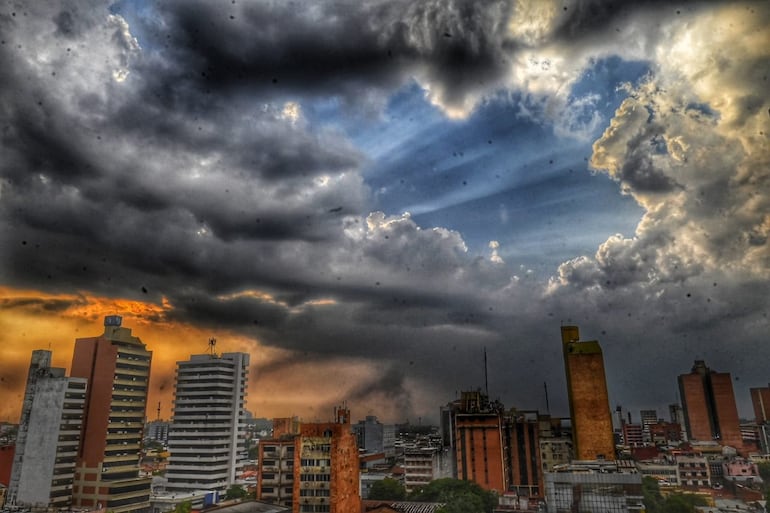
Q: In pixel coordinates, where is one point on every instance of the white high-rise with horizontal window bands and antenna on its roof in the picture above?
(206, 440)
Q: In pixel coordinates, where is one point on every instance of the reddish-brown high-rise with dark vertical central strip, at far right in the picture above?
(708, 404)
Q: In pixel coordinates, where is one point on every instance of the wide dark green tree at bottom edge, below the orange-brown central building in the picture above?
(459, 496)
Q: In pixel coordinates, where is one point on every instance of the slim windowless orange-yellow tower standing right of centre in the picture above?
(588, 398)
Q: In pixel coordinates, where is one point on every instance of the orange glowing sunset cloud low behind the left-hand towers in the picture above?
(32, 319)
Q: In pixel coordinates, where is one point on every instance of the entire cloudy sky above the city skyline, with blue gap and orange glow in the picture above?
(371, 196)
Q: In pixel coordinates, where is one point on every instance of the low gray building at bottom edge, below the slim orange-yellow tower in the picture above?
(599, 486)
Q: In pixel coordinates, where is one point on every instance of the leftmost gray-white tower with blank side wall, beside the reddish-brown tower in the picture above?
(48, 437)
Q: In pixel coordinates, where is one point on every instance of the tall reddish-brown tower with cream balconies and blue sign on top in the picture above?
(117, 367)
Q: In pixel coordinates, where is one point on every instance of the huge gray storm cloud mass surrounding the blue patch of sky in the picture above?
(180, 169)
